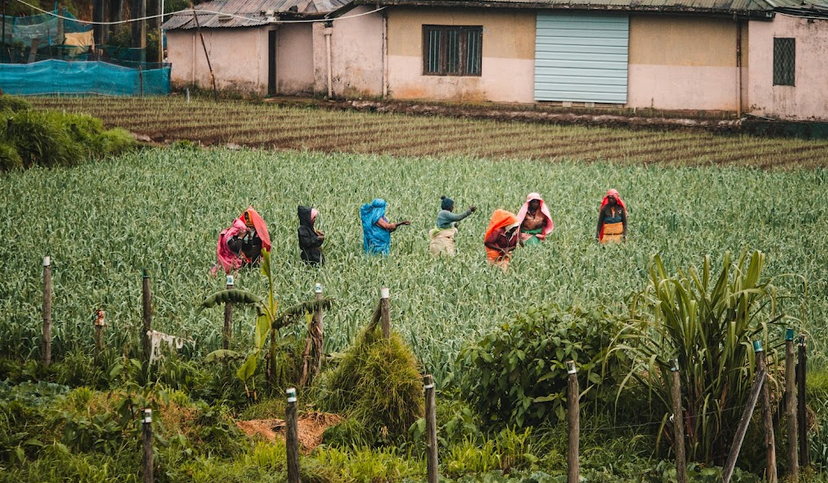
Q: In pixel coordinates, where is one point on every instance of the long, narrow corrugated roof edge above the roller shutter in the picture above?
(749, 8)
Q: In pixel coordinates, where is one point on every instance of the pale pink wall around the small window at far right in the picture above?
(808, 98)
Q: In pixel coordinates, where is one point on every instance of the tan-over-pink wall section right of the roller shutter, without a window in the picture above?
(683, 62)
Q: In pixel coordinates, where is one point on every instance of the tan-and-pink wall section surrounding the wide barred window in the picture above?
(508, 63)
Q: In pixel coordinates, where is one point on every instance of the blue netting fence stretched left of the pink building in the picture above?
(61, 77)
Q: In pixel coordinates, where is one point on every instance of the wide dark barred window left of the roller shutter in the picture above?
(452, 50)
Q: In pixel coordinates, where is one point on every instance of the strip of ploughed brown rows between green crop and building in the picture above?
(261, 125)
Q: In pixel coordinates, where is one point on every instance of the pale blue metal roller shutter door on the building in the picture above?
(581, 57)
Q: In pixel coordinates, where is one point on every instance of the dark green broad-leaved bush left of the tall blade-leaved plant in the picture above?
(518, 376)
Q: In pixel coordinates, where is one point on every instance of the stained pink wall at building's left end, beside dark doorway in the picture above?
(238, 57)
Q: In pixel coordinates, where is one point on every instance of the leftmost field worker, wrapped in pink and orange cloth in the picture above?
(242, 243)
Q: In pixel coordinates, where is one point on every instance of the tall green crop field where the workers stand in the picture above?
(162, 209)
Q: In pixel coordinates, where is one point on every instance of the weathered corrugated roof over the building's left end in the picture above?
(249, 13)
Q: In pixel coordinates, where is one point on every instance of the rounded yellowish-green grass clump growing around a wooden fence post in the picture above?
(378, 383)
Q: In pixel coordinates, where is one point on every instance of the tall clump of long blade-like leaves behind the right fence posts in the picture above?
(707, 323)
